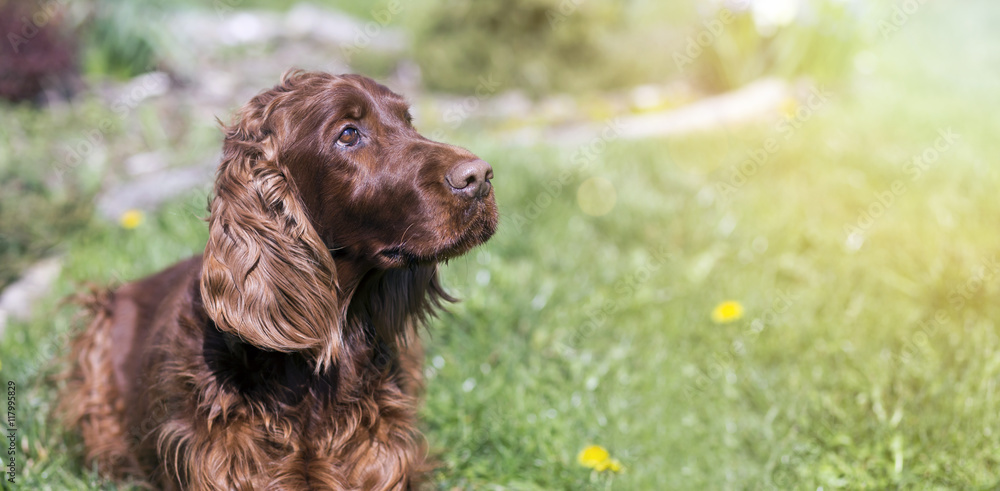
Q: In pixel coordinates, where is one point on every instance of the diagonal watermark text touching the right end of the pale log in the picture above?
(785, 128)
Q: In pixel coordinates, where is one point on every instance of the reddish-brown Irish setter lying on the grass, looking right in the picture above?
(287, 356)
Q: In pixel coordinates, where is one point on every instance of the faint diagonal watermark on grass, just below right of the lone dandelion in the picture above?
(724, 361)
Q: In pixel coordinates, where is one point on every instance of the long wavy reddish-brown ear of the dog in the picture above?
(267, 275)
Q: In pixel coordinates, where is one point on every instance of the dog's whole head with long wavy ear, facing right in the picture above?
(323, 179)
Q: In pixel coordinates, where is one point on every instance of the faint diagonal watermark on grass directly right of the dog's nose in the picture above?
(581, 159)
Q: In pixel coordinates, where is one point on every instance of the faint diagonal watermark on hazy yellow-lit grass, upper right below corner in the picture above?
(886, 198)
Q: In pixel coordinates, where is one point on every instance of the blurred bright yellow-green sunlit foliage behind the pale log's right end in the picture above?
(818, 39)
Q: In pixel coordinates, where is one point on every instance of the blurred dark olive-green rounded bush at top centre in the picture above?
(536, 45)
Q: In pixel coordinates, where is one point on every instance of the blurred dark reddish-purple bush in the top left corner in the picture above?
(39, 52)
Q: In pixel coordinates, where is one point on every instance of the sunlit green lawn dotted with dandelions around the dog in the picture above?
(577, 329)
